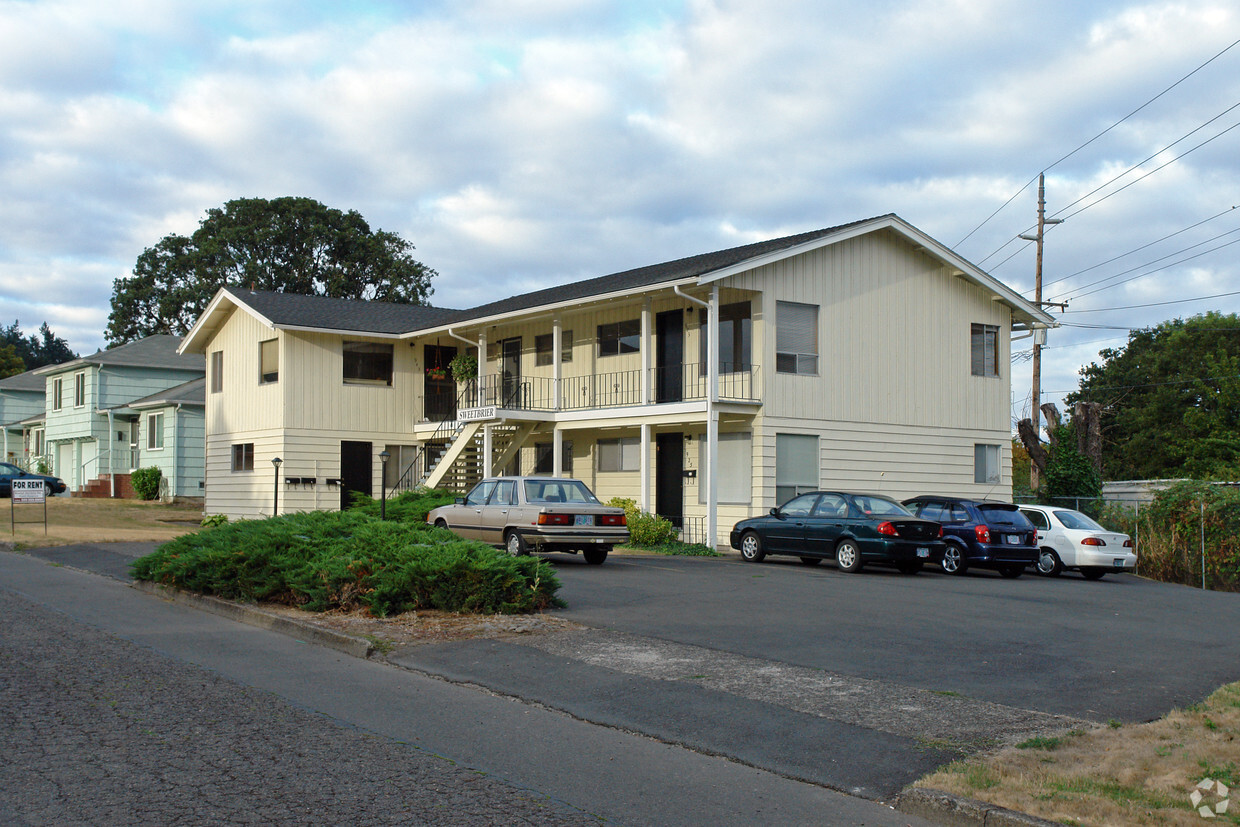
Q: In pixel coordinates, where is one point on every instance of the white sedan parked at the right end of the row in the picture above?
(1069, 540)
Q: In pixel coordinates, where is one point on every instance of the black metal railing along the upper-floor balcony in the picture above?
(614, 390)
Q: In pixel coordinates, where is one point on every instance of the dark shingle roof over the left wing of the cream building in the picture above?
(294, 311)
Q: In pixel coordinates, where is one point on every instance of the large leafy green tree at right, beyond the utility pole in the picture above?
(1170, 401)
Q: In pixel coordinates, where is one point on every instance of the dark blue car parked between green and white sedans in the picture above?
(981, 534)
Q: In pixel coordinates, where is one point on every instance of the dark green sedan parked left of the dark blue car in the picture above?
(855, 530)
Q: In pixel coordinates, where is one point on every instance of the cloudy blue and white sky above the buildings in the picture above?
(526, 143)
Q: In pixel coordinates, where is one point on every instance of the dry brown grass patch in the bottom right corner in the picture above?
(1134, 774)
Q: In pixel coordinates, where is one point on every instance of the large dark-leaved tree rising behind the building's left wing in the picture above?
(287, 245)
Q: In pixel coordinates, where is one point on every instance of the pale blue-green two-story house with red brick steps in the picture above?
(92, 435)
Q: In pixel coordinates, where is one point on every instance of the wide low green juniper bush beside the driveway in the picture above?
(323, 561)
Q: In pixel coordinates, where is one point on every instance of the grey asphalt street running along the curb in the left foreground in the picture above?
(120, 707)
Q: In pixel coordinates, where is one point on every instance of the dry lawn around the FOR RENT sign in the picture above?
(79, 520)
